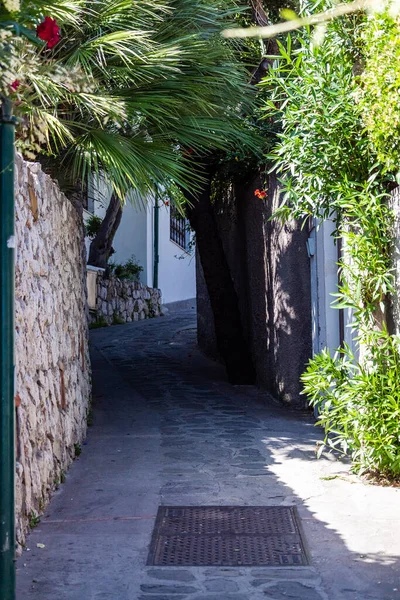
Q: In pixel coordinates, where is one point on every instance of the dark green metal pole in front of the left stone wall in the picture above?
(7, 407)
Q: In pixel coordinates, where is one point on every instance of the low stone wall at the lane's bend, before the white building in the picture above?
(123, 301)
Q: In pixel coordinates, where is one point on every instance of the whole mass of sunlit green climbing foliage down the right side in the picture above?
(333, 162)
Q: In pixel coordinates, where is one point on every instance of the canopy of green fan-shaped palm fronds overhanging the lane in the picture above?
(131, 86)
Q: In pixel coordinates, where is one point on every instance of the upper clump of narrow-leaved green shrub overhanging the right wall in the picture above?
(322, 153)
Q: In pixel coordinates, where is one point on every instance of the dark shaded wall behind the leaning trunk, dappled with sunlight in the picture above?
(271, 272)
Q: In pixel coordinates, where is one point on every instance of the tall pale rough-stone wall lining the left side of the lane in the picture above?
(52, 360)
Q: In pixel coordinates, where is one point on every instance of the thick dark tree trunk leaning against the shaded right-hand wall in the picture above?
(231, 341)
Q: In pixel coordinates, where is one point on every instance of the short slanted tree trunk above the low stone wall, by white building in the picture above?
(101, 246)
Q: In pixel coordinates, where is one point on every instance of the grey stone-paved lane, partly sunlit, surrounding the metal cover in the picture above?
(169, 430)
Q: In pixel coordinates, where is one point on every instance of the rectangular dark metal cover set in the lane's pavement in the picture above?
(227, 536)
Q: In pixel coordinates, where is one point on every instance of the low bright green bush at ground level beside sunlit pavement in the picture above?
(359, 403)
